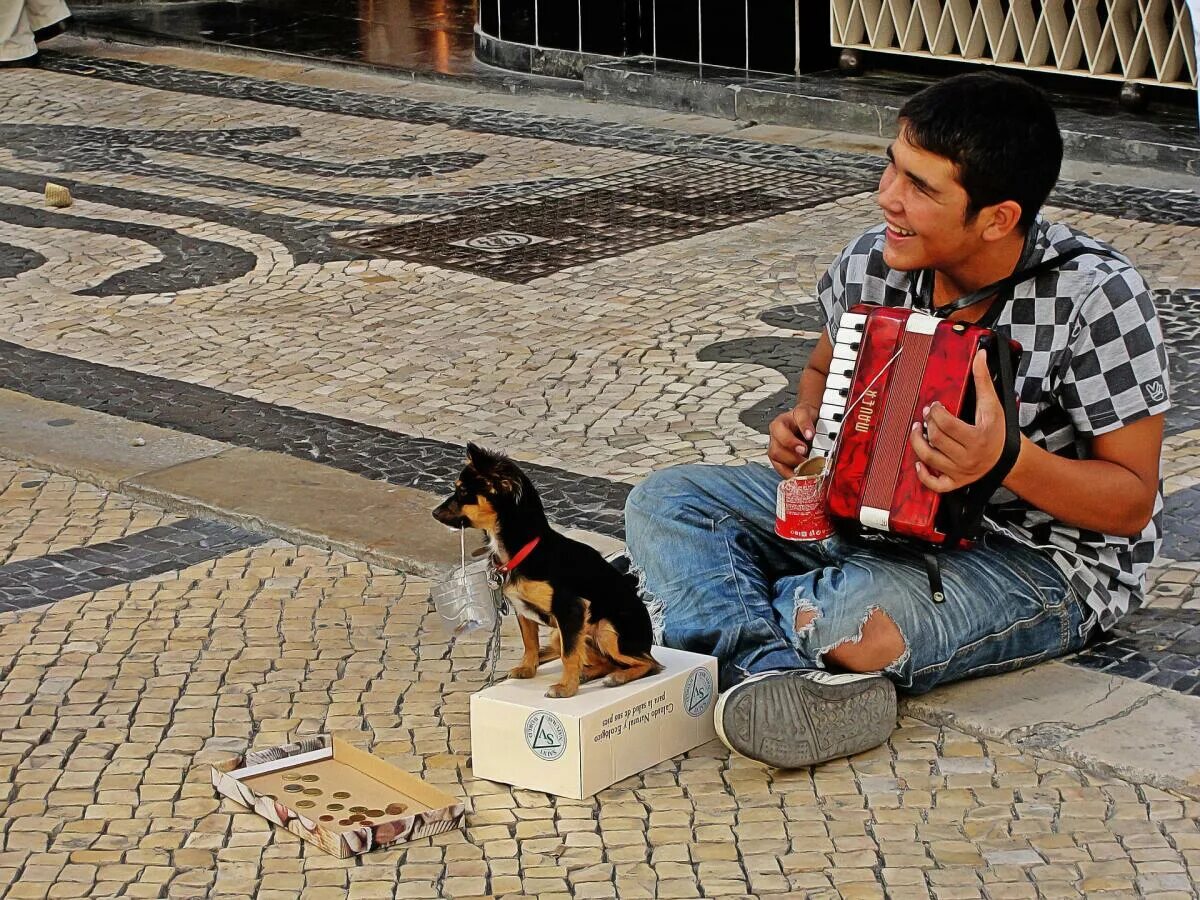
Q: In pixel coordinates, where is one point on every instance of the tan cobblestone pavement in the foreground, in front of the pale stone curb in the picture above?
(115, 701)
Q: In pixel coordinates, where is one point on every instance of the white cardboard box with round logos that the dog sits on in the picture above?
(577, 747)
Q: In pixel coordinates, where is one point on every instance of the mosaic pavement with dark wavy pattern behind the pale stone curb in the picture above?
(213, 278)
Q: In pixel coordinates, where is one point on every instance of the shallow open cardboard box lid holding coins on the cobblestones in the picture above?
(341, 799)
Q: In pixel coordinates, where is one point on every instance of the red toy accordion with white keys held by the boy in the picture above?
(889, 365)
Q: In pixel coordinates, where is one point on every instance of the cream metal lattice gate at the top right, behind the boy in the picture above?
(1148, 41)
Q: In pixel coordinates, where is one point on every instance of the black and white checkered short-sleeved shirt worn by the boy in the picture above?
(1094, 361)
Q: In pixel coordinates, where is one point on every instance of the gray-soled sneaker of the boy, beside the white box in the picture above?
(806, 717)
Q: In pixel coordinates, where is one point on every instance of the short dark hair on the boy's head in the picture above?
(998, 130)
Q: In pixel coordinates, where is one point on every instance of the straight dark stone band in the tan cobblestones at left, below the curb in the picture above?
(142, 555)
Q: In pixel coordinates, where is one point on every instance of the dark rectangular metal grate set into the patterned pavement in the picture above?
(579, 223)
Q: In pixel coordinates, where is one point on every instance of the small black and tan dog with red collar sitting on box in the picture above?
(603, 627)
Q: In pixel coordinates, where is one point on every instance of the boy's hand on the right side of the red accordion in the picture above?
(957, 454)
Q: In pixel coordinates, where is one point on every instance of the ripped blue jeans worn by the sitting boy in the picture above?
(704, 538)
